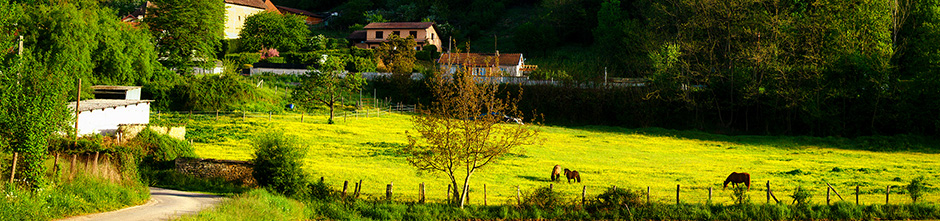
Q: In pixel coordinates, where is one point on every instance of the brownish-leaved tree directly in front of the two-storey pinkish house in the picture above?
(398, 54)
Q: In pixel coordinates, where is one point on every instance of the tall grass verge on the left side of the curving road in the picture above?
(84, 194)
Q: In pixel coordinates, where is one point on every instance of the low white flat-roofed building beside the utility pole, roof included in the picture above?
(102, 116)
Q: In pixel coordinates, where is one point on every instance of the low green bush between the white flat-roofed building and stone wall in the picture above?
(161, 147)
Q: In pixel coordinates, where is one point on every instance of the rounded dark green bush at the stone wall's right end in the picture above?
(277, 164)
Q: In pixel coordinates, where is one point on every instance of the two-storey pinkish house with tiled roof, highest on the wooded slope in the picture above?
(375, 34)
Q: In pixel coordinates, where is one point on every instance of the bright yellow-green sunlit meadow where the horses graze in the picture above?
(365, 148)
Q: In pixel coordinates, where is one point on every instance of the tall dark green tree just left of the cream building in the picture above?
(186, 31)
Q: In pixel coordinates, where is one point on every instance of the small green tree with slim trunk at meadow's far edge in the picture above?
(327, 85)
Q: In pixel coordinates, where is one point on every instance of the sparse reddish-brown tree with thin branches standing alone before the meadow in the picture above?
(465, 129)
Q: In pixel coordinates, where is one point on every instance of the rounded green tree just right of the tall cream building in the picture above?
(270, 30)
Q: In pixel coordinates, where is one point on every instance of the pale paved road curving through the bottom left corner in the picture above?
(164, 204)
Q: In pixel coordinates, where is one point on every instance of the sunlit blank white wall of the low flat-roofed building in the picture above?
(106, 121)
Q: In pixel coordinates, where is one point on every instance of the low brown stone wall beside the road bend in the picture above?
(238, 172)
